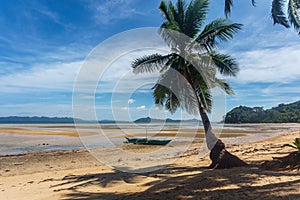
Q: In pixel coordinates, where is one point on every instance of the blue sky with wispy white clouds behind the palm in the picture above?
(47, 49)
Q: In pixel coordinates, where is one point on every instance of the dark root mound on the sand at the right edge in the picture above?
(289, 162)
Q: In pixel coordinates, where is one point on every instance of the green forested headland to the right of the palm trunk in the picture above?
(283, 113)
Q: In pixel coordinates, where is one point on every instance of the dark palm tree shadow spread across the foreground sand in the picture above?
(198, 183)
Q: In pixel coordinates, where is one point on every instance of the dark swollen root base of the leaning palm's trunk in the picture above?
(222, 159)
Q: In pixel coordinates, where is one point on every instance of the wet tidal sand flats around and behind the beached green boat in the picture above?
(24, 138)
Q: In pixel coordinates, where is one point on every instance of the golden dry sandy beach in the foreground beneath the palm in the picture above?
(76, 174)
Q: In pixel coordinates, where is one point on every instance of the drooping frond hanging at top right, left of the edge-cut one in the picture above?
(278, 14)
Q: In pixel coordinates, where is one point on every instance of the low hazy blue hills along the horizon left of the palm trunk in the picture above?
(70, 120)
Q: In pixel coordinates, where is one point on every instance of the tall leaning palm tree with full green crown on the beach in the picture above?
(189, 71)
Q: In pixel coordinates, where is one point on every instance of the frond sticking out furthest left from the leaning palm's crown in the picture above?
(149, 63)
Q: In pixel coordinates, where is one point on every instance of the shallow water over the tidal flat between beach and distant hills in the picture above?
(110, 135)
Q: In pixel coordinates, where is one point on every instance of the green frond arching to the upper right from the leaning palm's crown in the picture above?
(219, 30)
